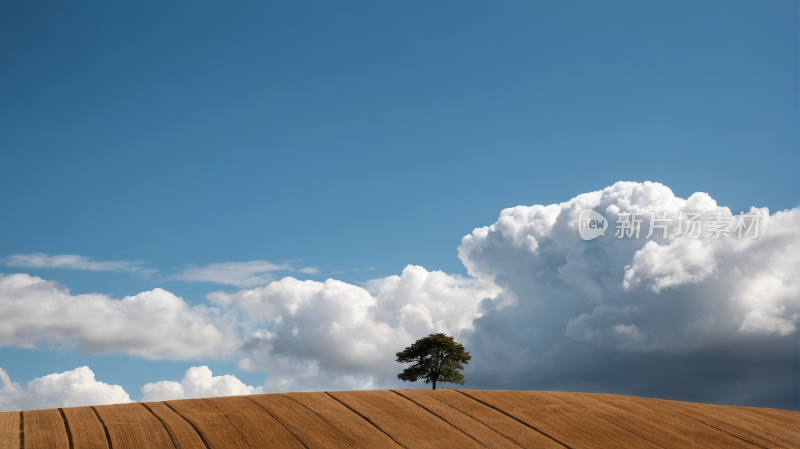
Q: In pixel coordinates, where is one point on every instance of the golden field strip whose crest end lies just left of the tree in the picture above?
(407, 423)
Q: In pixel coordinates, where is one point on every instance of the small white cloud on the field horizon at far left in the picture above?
(68, 389)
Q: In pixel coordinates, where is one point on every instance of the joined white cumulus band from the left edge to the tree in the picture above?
(303, 334)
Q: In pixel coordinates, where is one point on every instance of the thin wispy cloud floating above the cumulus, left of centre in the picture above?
(239, 274)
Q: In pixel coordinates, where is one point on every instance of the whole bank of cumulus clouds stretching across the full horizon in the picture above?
(708, 320)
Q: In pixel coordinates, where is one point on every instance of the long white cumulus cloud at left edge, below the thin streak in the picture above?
(154, 325)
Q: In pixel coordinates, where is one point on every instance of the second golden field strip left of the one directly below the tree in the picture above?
(359, 432)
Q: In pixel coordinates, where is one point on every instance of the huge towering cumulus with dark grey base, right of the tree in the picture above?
(610, 314)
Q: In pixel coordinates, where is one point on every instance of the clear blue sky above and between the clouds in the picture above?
(361, 137)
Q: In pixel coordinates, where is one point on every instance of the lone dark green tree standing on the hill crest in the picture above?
(436, 357)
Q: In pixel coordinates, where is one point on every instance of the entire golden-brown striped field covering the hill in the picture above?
(407, 419)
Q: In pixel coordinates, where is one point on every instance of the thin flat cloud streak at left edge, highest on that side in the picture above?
(74, 262)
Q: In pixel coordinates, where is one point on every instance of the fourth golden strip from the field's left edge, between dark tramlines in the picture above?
(131, 426)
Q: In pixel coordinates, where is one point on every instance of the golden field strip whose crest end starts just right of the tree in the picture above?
(559, 420)
